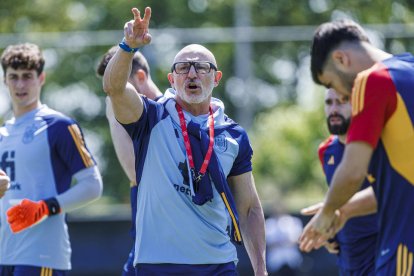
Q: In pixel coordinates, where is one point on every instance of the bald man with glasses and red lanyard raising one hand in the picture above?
(196, 188)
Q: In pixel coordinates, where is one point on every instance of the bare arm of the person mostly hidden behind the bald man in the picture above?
(122, 143)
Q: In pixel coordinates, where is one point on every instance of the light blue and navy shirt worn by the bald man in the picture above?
(170, 228)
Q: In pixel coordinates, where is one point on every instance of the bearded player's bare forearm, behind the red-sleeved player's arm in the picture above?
(361, 204)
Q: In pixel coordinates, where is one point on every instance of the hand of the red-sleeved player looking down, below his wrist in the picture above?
(317, 231)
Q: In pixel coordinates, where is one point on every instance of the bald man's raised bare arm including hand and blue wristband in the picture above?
(127, 104)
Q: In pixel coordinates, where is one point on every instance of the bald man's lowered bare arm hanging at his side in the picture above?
(251, 218)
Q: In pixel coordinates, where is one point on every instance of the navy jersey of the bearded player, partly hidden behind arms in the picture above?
(358, 238)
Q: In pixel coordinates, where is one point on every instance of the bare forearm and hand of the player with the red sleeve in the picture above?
(347, 181)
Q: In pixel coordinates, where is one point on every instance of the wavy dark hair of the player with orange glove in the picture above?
(23, 56)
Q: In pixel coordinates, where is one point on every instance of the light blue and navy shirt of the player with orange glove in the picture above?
(40, 151)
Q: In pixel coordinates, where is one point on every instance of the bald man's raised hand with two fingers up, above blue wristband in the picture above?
(136, 31)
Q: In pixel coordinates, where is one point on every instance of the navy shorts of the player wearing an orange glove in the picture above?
(25, 270)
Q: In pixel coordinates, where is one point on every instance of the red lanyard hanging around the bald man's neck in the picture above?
(197, 176)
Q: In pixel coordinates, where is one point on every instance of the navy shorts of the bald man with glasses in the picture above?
(227, 269)
